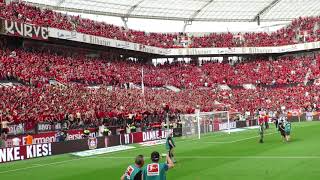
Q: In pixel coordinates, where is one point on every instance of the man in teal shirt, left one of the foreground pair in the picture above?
(134, 172)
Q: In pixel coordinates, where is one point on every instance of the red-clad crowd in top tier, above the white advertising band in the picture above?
(304, 29)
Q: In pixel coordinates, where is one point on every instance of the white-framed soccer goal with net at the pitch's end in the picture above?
(195, 125)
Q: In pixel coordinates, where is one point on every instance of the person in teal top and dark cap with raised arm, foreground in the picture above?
(156, 170)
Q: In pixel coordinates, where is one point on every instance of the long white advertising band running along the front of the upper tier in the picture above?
(97, 40)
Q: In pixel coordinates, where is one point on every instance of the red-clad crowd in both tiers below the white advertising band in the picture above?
(42, 102)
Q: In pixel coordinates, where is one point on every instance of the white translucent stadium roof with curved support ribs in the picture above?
(190, 10)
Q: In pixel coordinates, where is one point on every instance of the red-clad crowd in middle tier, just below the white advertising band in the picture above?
(37, 68)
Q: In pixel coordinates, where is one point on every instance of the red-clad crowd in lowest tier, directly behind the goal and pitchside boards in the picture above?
(81, 105)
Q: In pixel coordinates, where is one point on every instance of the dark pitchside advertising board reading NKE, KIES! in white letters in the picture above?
(48, 146)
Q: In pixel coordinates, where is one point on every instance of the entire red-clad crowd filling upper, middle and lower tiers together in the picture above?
(38, 101)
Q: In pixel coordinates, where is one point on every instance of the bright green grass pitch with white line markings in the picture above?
(217, 156)
